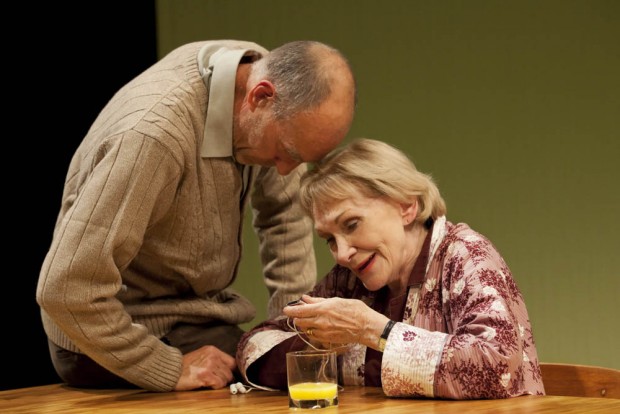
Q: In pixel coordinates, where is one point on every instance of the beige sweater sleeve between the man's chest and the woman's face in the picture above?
(285, 237)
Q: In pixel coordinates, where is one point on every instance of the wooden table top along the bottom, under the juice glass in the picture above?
(58, 398)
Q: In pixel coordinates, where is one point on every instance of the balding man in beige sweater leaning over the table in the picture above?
(134, 290)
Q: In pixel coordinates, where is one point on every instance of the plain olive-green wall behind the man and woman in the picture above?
(514, 108)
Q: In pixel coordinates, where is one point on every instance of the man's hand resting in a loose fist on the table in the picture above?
(206, 367)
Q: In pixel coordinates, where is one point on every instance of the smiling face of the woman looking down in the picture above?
(368, 236)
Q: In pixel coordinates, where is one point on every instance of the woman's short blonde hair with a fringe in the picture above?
(373, 169)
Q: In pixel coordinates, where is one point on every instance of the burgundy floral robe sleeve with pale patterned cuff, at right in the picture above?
(480, 352)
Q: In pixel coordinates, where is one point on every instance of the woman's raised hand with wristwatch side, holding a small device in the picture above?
(334, 321)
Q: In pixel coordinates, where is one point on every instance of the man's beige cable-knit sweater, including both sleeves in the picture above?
(149, 232)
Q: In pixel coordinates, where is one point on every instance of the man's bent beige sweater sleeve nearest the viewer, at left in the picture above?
(130, 184)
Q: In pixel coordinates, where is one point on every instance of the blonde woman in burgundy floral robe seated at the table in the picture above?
(415, 304)
